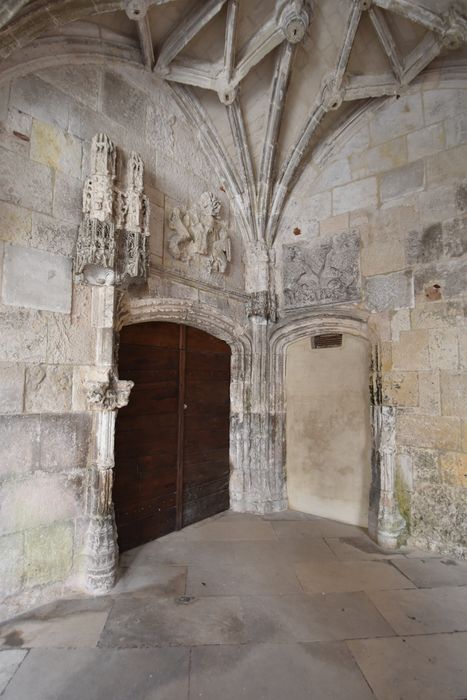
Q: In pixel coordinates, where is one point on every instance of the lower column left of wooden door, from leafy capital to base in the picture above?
(104, 398)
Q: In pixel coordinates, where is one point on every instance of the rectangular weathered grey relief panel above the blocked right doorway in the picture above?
(326, 273)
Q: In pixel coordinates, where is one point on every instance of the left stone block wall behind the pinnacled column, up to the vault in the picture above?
(48, 340)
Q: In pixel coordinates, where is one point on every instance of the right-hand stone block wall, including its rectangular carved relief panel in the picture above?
(383, 225)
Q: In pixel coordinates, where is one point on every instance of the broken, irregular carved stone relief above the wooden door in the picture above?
(199, 231)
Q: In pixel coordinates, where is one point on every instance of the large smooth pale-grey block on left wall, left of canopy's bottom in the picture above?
(37, 279)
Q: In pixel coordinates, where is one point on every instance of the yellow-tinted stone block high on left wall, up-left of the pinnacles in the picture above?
(55, 148)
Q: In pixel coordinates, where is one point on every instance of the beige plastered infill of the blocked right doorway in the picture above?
(328, 430)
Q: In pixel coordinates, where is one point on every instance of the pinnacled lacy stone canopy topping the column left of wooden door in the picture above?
(112, 238)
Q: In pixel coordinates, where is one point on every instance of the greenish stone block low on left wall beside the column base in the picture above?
(48, 553)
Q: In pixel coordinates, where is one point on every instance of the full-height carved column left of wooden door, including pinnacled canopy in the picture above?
(111, 252)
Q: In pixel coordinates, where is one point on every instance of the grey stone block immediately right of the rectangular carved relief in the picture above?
(390, 292)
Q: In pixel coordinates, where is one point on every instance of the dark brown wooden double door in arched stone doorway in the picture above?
(172, 440)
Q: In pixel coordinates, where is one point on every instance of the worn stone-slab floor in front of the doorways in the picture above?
(241, 606)
